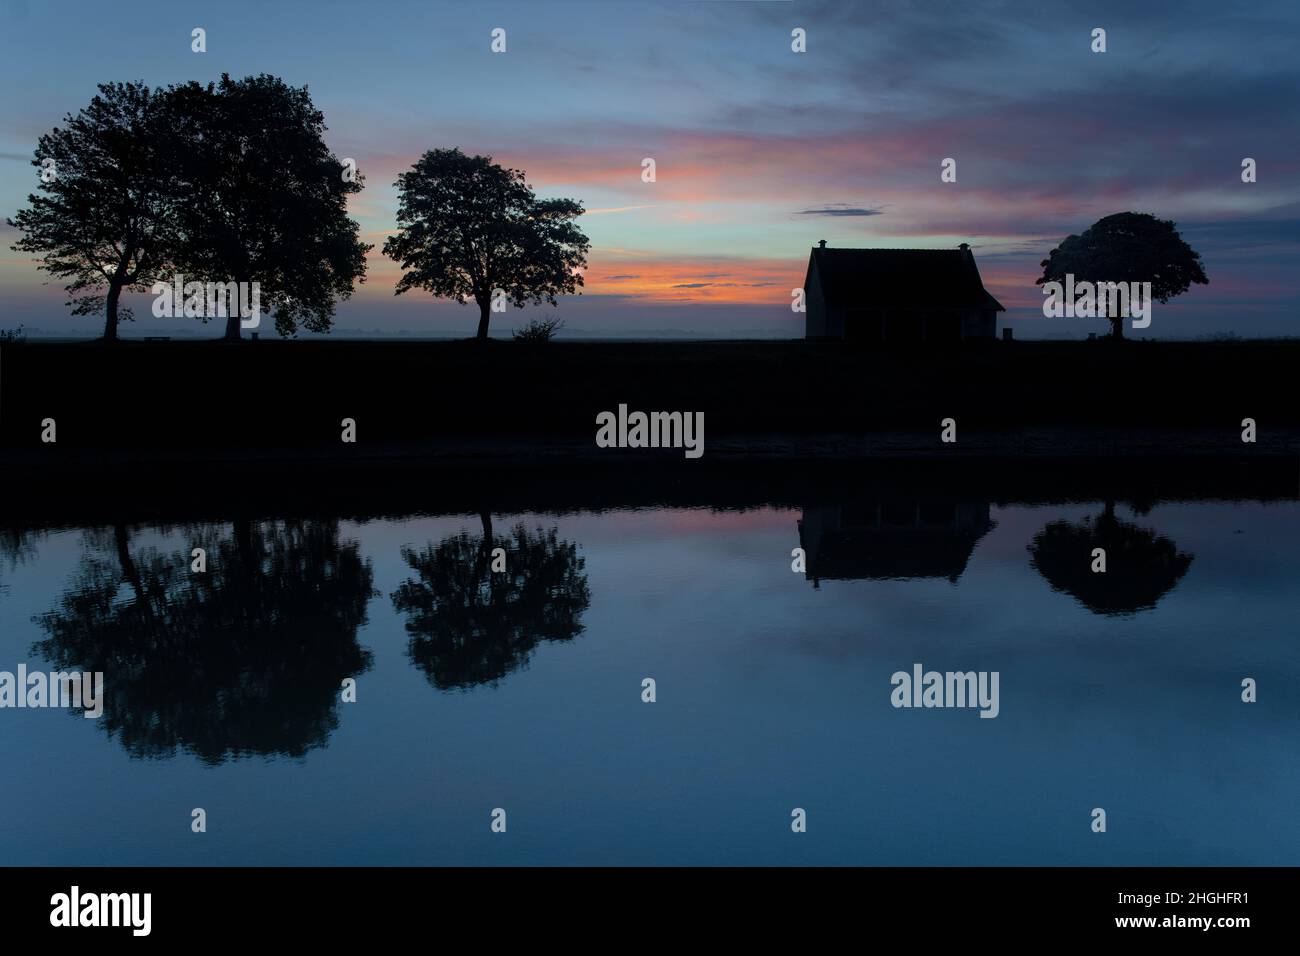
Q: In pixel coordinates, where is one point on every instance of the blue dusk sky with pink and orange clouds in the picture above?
(760, 152)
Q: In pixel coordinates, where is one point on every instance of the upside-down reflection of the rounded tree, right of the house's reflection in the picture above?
(1142, 566)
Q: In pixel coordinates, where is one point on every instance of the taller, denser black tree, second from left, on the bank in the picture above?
(266, 201)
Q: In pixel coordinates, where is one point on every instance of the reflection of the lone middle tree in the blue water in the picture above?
(470, 625)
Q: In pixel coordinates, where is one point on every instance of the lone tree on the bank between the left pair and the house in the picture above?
(469, 227)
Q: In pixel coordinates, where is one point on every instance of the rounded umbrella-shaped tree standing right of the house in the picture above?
(1128, 248)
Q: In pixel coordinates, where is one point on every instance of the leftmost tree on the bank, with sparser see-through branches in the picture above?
(106, 219)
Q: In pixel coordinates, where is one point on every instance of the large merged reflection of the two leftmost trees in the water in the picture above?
(245, 659)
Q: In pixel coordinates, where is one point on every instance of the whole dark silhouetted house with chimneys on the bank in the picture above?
(898, 296)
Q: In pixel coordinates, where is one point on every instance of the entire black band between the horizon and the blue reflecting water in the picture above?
(183, 430)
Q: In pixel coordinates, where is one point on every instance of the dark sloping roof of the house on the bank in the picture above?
(902, 278)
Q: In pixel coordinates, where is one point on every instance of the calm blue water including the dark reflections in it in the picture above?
(773, 690)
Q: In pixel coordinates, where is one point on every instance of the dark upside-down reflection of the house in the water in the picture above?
(892, 539)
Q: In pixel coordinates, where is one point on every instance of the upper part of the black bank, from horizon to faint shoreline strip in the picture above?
(257, 400)
